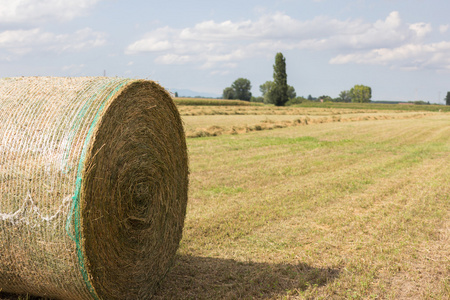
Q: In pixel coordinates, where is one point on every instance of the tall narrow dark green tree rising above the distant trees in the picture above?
(279, 93)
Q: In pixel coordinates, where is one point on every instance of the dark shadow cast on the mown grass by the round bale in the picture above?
(215, 278)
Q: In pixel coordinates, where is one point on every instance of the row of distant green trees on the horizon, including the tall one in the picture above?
(278, 92)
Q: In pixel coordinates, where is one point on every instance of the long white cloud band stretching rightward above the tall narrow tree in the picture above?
(211, 45)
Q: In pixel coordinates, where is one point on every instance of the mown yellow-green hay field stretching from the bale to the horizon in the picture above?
(349, 206)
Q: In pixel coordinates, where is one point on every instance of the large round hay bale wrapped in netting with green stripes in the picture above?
(93, 186)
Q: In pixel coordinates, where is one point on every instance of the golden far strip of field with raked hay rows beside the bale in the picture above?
(201, 121)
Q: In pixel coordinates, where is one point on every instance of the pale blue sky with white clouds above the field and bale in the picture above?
(400, 48)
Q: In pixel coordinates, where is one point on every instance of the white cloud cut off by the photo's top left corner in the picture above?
(26, 11)
